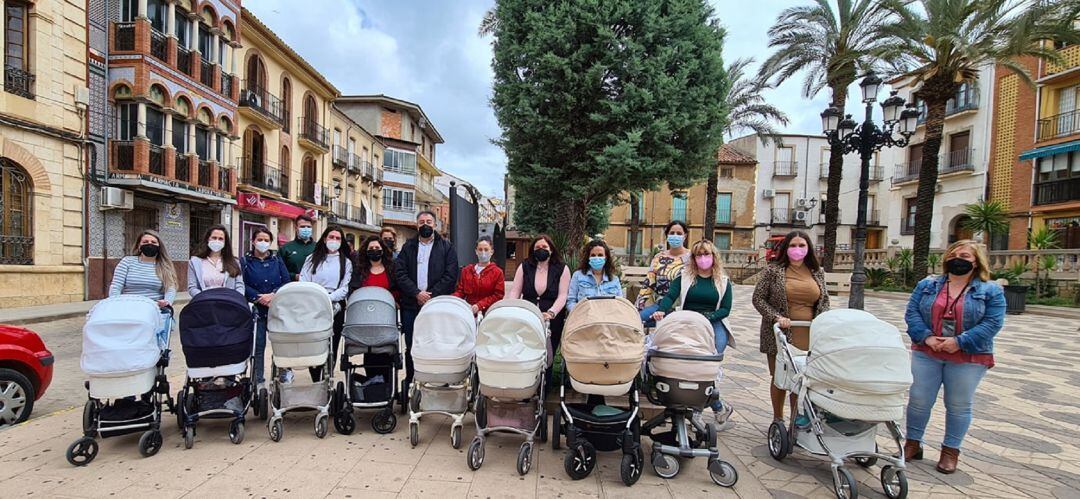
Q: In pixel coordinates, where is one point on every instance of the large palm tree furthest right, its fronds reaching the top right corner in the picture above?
(941, 45)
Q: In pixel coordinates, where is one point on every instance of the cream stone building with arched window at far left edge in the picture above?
(43, 127)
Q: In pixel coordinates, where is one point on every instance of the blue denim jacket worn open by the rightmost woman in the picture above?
(984, 313)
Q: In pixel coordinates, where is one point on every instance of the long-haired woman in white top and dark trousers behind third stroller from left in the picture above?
(329, 267)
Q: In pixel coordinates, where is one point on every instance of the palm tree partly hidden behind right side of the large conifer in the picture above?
(746, 109)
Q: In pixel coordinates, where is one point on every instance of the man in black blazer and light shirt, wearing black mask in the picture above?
(427, 267)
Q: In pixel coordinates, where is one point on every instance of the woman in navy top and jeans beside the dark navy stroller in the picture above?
(265, 273)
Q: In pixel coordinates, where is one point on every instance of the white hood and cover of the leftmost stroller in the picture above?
(121, 336)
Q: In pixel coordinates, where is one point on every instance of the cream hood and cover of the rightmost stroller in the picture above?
(858, 367)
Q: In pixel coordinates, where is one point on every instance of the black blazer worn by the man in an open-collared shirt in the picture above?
(442, 272)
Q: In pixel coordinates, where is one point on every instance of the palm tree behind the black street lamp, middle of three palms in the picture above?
(831, 46)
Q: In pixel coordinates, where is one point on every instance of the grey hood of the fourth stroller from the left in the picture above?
(371, 318)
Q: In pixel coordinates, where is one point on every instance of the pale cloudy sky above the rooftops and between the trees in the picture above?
(428, 52)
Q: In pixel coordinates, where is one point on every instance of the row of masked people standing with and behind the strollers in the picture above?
(952, 318)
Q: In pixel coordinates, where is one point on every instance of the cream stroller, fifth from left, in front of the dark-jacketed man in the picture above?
(443, 349)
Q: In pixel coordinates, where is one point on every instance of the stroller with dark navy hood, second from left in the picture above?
(218, 333)
